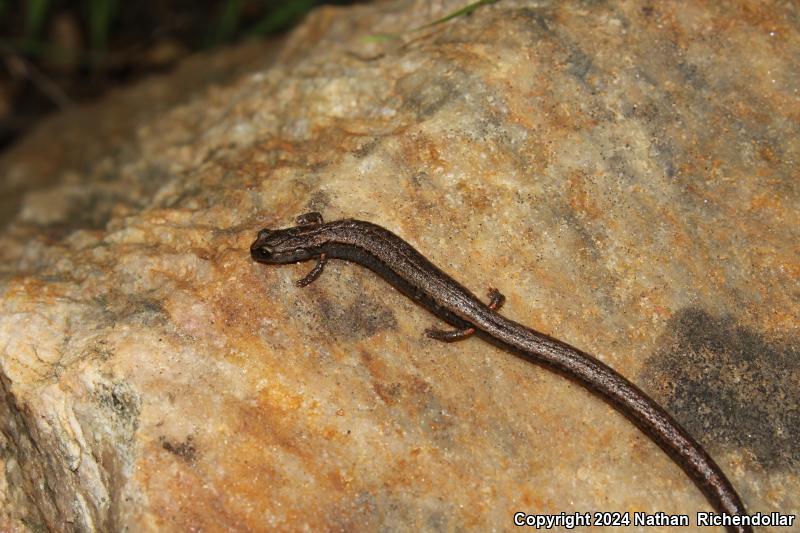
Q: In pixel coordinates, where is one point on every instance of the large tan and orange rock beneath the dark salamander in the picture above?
(626, 173)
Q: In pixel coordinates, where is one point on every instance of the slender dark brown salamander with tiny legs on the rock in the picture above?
(396, 261)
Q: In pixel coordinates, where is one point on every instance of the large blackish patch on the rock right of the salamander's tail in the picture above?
(730, 386)
